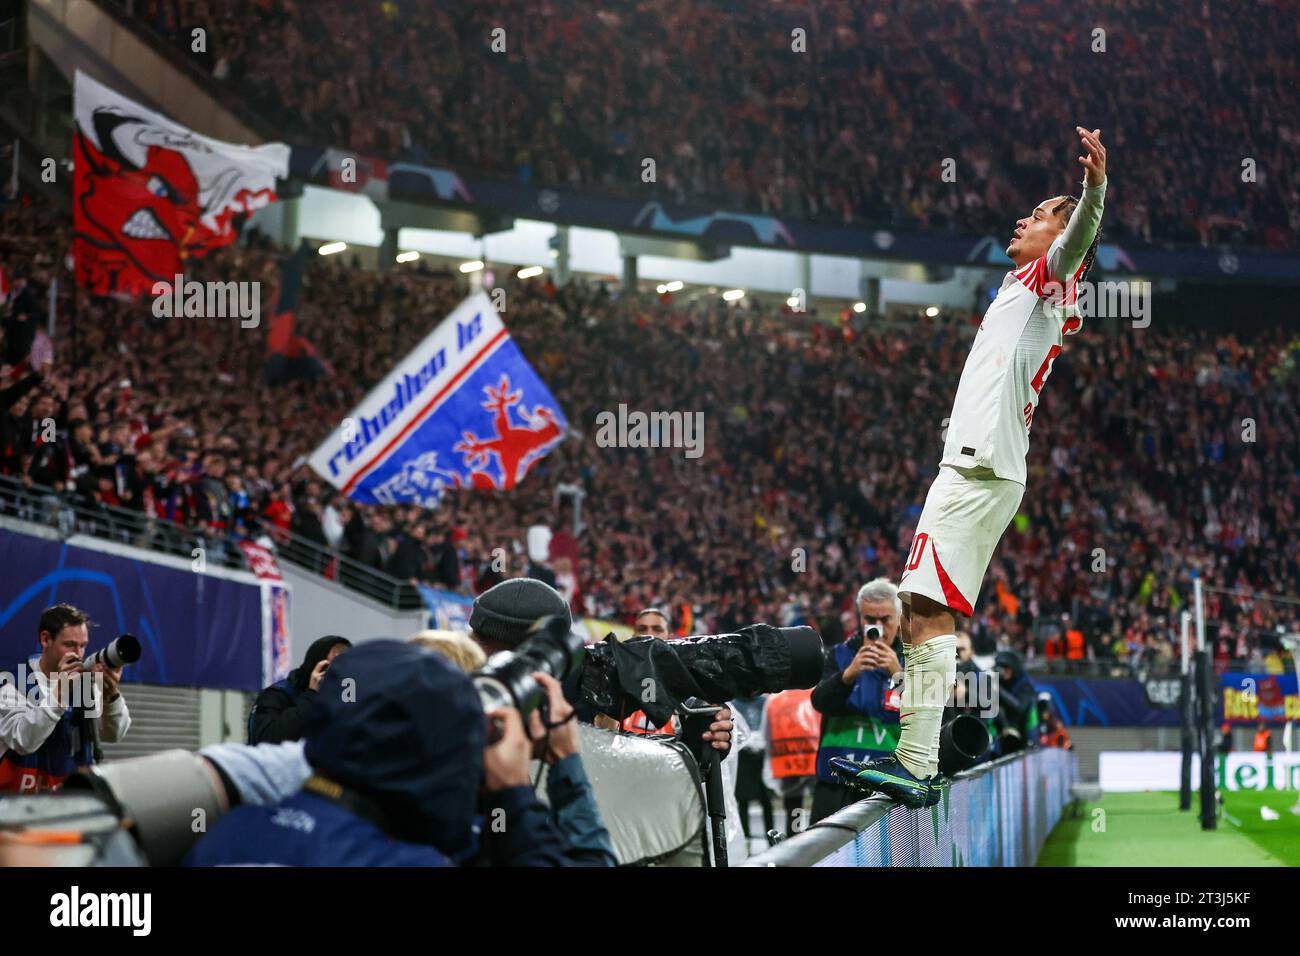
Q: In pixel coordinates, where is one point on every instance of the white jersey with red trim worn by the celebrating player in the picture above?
(1020, 339)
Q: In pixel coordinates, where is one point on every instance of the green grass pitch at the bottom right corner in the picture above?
(1149, 830)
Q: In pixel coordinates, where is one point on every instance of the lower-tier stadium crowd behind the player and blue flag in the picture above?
(1163, 453)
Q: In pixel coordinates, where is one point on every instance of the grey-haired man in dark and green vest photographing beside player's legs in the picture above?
(857, 697)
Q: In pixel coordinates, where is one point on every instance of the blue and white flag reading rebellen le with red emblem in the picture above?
(463, 410)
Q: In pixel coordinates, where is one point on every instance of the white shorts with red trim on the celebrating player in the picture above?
(961, 525)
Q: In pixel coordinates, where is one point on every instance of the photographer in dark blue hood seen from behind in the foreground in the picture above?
(397, 745)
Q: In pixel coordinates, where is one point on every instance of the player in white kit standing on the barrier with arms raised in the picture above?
(982, 474)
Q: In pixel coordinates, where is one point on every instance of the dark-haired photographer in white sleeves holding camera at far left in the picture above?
(45, 741)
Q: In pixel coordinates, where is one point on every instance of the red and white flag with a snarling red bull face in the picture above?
(151, 194)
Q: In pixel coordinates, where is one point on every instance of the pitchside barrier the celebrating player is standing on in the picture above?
(998, 815)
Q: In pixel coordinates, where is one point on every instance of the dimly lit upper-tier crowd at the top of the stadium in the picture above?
(856, 129)
